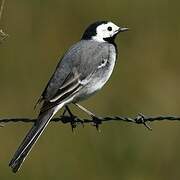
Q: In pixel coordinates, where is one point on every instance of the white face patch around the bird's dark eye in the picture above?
(105, 31)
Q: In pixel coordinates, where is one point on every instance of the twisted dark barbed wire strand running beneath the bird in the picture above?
(96, 121)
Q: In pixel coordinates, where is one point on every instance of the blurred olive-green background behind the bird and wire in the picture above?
(146, 79)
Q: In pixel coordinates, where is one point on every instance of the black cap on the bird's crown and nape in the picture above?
(91, 30)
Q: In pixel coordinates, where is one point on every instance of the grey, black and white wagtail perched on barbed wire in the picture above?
(82, 71)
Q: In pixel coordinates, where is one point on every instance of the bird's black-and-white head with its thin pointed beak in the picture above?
(102, 31)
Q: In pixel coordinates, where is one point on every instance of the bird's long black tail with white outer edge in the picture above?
(31, 139)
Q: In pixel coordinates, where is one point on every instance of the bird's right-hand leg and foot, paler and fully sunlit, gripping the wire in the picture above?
(96, 120)
